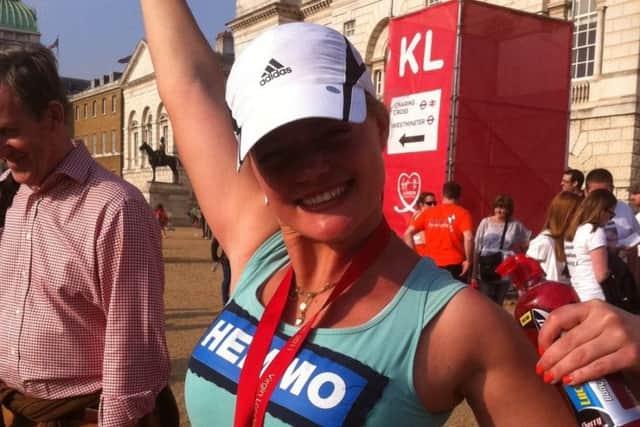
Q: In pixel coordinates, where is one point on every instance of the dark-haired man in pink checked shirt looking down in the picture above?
(81, 308)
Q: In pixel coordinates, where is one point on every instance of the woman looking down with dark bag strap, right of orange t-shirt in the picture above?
(497, 237)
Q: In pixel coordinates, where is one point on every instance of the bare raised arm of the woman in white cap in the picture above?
(191, 86)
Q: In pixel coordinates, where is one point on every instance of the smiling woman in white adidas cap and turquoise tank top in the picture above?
(332, 319)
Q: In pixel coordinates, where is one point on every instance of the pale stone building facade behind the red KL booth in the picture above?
(605, 98)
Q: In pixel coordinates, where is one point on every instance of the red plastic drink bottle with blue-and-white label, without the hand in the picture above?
(602, 402)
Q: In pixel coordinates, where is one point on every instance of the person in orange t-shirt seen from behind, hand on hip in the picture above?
(448, 233)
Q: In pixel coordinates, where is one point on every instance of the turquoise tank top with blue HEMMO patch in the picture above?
(355, 376)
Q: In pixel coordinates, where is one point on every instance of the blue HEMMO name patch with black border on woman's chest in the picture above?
(319, 388)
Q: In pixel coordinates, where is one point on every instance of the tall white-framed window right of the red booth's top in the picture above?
(585, 24)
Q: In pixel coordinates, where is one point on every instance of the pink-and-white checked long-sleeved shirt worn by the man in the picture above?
(81, 284)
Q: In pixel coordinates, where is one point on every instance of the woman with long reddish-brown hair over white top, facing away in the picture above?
(548, 247)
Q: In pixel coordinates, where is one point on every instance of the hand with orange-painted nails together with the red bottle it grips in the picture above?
(584, 345)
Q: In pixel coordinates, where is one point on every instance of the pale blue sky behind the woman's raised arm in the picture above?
(94, 34)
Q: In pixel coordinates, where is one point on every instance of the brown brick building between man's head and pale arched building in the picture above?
(97, 120)
